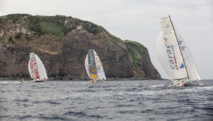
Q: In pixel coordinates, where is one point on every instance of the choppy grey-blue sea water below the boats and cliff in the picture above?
(109, 101)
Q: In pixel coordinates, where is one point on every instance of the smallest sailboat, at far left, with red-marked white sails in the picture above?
(36, 68)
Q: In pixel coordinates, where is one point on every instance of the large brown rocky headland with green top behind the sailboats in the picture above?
(62, 43)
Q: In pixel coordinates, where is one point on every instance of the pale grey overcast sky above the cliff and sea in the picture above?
(136, 20)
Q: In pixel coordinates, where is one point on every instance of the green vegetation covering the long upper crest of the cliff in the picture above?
(56, 25)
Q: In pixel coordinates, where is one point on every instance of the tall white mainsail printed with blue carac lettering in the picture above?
(174, 55)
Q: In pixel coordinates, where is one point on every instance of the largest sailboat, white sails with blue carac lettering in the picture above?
(174, 55)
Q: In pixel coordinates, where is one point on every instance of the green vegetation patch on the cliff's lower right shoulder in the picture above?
(136, 50)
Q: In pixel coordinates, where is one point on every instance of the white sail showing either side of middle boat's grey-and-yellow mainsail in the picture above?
(99, 67)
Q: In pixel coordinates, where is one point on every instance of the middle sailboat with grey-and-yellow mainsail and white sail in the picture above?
(94, 67)
